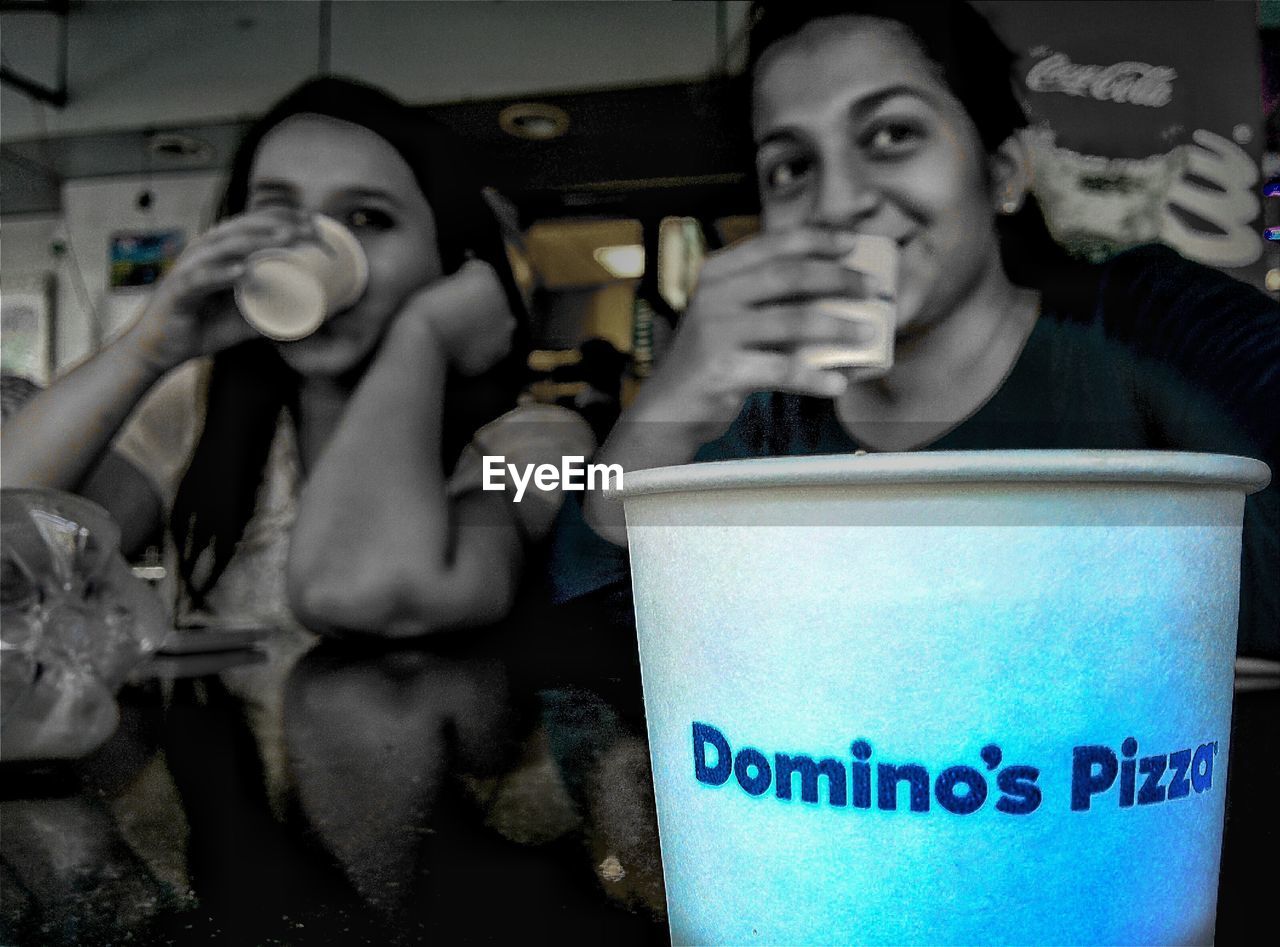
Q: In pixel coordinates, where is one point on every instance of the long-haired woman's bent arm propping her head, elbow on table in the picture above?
(380, 547)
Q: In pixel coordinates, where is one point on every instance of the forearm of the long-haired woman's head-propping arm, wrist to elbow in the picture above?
(376, 534)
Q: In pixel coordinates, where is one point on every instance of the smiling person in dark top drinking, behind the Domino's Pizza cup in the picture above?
(889, 166)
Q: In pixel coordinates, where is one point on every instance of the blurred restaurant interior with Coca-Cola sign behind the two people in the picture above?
(612, 134)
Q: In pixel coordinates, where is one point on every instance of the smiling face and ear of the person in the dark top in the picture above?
(892, 154)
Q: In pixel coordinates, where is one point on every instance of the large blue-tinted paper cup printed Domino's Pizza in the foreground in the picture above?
(999, 629)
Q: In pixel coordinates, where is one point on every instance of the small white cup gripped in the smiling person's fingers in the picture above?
(876, 258)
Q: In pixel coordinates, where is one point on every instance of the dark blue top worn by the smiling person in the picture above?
(1148, 351)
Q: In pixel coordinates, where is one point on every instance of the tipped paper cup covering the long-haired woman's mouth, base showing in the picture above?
(290, 292)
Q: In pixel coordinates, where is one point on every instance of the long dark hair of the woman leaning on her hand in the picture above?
(250, 385)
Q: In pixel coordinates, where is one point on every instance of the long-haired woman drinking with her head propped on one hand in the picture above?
(373, 411)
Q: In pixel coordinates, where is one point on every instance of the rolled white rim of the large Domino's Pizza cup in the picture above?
(957, 468)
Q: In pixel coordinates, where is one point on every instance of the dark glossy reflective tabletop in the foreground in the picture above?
(348, 798)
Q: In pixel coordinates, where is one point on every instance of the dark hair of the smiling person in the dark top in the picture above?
(976, 66)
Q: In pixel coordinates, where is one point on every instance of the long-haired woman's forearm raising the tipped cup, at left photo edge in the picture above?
(60, 436)
